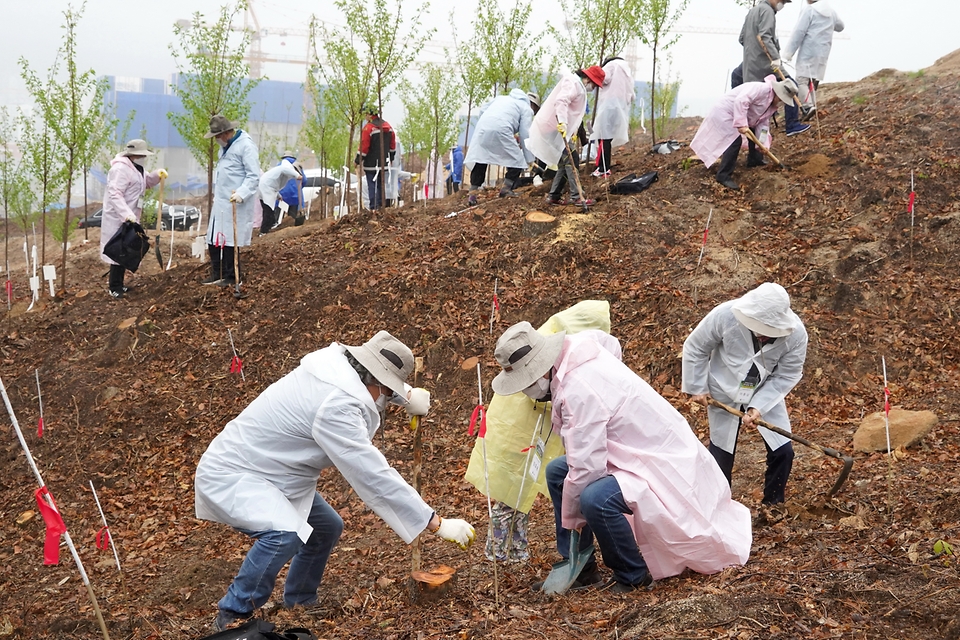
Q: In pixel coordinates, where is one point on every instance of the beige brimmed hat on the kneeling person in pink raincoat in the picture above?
(525, 355)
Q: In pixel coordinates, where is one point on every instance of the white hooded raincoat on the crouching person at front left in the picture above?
(260, 473)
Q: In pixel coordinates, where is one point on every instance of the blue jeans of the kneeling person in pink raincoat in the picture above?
(603, 508)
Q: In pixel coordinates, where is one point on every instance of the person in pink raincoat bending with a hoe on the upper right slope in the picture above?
(749, 106)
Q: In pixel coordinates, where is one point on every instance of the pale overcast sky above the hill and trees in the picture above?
(125, 38)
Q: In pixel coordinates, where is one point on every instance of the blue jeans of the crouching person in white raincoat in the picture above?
(272, 550)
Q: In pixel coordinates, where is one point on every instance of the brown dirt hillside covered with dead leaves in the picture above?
(134, 390)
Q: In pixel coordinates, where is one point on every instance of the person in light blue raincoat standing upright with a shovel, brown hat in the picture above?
(236, 181)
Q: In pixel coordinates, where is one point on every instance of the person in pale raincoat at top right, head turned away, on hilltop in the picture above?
(811, 41)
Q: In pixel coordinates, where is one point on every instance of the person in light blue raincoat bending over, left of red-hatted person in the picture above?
(499, 139)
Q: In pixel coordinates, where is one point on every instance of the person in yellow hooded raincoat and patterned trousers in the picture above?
(519, 446)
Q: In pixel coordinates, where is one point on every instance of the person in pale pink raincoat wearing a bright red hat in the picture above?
(557, 121)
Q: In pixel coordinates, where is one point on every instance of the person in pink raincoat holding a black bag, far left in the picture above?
(123, 200)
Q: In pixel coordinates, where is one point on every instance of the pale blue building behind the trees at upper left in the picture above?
(276, 116)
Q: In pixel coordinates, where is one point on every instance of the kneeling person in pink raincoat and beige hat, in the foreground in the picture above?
(628, 453)
